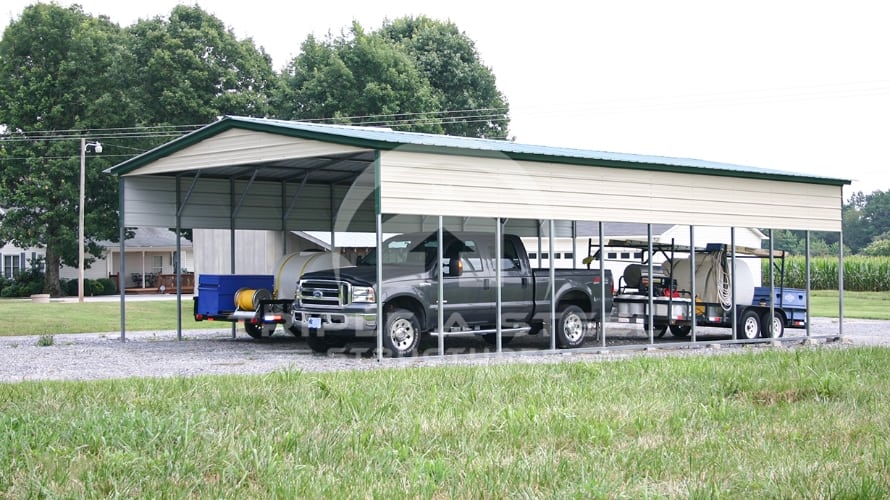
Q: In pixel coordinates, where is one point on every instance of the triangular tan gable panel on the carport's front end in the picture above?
(241, 147)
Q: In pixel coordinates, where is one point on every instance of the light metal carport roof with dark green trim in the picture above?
(385, 139)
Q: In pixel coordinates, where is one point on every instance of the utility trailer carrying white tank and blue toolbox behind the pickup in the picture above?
(671, 291)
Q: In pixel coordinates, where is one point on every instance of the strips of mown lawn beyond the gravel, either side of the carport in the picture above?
(89, 317)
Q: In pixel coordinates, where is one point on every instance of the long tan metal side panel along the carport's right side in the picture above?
(420, 183)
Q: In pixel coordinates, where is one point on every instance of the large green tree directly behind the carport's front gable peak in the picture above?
(190, 69)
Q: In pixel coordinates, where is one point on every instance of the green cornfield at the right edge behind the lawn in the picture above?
(861, 274)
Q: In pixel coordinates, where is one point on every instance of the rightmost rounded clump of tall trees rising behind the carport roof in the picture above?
(421, 76)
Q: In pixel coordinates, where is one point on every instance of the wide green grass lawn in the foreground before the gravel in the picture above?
(807, 423)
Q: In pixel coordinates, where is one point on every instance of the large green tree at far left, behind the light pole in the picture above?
(58, 70)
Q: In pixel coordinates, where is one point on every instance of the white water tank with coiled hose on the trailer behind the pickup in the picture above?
(708, 280)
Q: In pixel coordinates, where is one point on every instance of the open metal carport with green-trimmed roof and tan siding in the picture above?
(248, 173)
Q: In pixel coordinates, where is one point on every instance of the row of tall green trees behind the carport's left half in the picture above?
(65, 75)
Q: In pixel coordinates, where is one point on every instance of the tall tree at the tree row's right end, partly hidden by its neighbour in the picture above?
(466, 89)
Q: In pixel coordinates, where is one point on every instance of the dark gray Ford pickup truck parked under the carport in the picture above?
(334, 306)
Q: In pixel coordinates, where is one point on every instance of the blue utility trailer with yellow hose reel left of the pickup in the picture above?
(241, 298)
